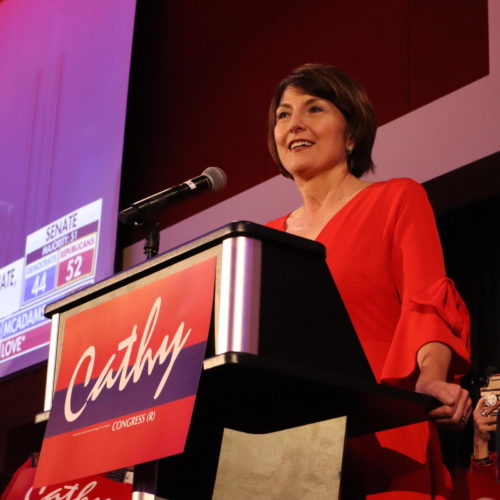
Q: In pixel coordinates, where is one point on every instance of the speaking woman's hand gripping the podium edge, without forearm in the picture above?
(457, 405)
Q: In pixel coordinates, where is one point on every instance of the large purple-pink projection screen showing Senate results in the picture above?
(64, 67)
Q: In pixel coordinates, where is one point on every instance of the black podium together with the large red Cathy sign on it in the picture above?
(281, 353)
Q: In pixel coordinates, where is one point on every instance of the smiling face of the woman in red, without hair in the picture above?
(310, 134)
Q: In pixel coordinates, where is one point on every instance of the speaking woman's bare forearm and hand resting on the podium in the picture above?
(433, 360)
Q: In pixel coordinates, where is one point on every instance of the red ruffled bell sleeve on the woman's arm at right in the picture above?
(431, 307)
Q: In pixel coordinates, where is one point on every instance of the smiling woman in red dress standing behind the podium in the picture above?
(384, 253)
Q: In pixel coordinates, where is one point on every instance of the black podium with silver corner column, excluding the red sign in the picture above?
(281, 353)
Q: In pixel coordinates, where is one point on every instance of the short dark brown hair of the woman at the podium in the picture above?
(332, 84)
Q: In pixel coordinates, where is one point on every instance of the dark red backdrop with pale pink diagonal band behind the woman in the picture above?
(201, 88)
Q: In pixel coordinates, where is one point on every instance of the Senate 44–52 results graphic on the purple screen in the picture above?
(59, 257)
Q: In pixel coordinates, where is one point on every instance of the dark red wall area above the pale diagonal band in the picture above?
(203, 74)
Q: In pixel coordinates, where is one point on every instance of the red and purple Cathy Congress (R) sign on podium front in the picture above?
(129, 373)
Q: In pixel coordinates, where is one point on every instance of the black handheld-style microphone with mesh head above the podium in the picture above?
(211, 179)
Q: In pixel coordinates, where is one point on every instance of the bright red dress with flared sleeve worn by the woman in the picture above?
(384, 253)
